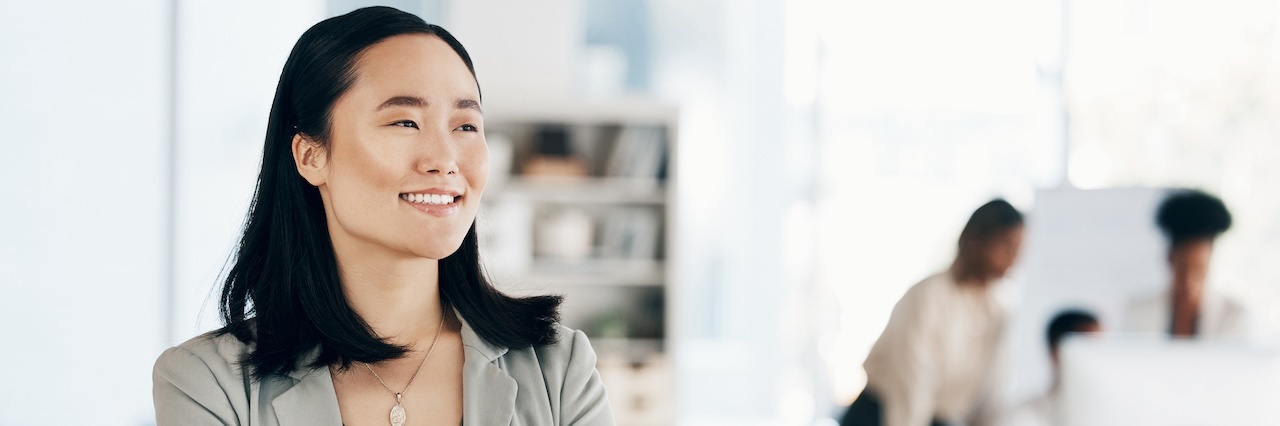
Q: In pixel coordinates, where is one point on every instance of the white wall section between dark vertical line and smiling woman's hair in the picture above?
(230, 61)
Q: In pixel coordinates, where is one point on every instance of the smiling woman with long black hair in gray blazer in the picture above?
(356, 295)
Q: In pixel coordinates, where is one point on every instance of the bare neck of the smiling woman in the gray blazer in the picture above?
(397, 296)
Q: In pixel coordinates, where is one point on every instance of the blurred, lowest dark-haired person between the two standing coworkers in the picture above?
(1043, 411)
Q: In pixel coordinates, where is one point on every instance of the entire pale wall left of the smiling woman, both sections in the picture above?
(88, 258)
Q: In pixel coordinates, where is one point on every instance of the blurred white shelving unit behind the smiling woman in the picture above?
(580, 204)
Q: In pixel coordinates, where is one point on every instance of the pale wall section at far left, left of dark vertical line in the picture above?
(84, 100)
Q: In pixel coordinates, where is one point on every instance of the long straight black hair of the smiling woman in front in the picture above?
(284, 294)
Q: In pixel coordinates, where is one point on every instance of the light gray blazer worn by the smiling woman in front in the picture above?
(202, 383)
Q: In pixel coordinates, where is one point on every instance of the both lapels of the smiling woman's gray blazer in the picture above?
(488, 392)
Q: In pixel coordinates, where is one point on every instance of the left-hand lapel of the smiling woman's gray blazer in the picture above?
(312, 401)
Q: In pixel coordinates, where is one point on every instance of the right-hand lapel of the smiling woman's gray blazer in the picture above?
(488, 392)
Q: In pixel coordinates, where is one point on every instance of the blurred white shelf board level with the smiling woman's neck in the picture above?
(588, 273)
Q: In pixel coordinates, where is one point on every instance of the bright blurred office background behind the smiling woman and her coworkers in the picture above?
(821, 158)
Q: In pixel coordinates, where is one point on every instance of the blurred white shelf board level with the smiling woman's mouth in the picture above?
(582, 191)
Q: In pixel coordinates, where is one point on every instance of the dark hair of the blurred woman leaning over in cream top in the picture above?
(985, 226)
